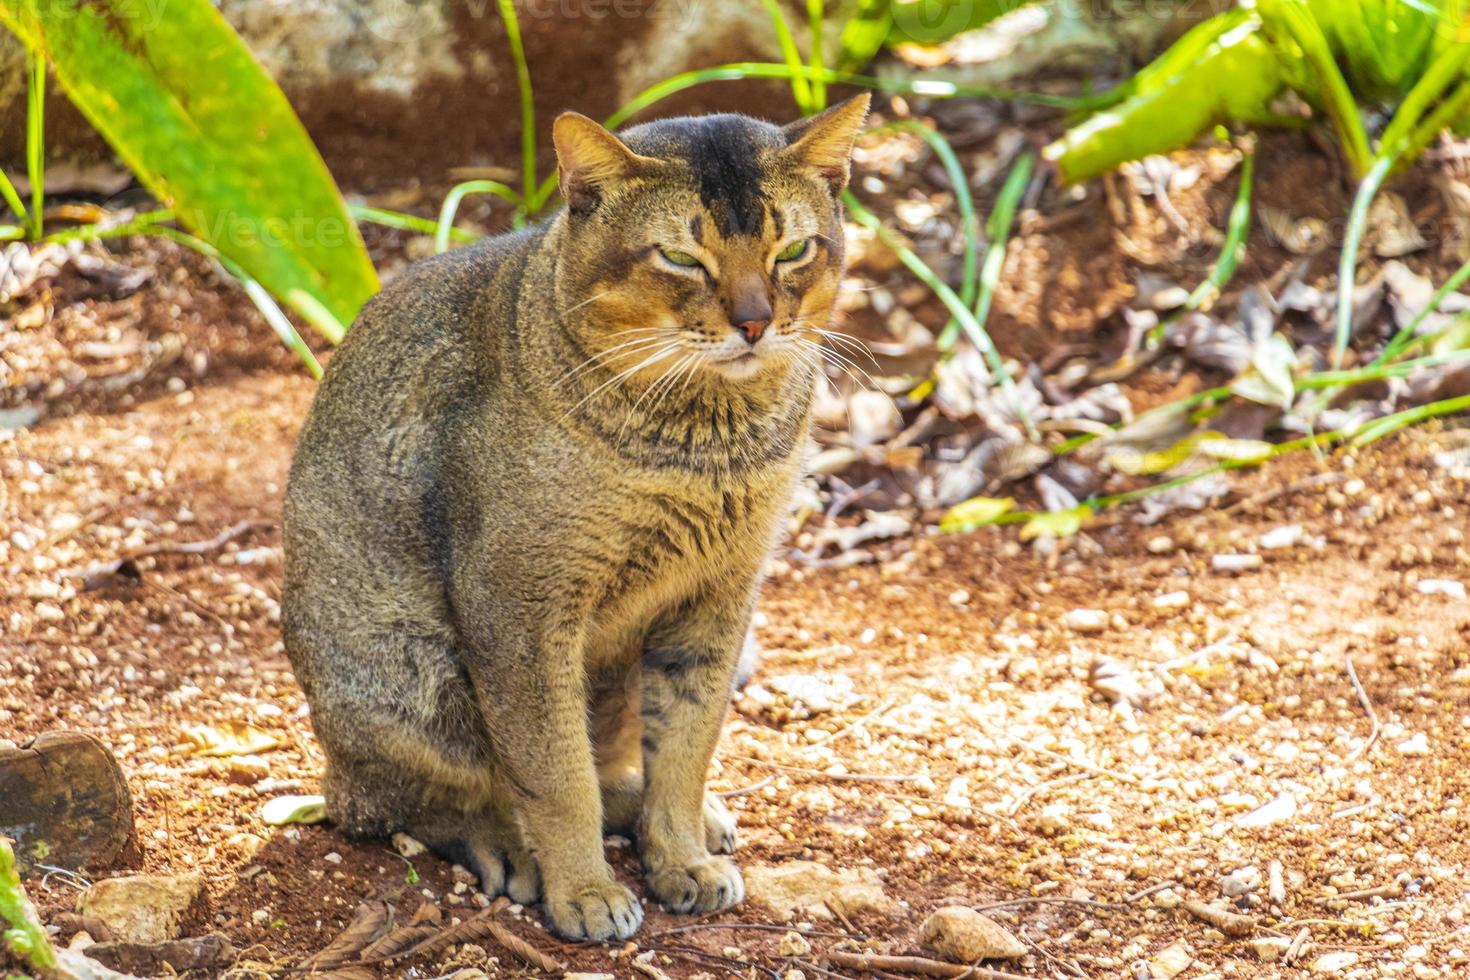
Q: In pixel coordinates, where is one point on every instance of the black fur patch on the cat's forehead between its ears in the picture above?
(724, 156)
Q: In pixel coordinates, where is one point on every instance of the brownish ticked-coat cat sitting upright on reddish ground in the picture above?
(528, 511)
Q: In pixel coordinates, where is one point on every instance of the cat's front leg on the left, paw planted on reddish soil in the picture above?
(526, 663)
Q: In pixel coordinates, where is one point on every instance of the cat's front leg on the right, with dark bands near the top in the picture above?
(687, 668)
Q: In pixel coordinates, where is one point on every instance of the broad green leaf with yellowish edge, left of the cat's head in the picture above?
(190, 111)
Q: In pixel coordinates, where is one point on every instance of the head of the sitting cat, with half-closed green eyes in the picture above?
(708, 246)
